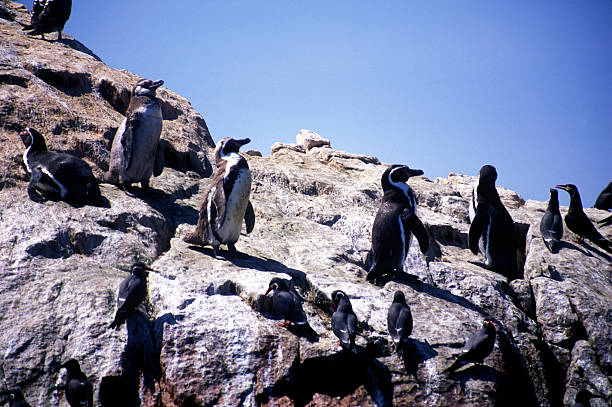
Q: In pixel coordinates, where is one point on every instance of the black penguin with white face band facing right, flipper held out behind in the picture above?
(395, 222)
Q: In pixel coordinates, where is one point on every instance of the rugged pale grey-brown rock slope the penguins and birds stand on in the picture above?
(200, 339)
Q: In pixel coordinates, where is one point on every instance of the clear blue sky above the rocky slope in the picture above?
(445, 86)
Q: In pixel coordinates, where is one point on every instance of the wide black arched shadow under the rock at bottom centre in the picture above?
(337, 375)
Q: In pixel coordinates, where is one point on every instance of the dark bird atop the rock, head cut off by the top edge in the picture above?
(49, 16)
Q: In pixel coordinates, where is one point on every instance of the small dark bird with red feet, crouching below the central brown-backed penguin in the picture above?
(288, 305)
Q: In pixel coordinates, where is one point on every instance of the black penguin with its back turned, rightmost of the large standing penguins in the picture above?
(492, 227)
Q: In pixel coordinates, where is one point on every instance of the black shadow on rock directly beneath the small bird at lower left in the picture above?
(141, 357)
